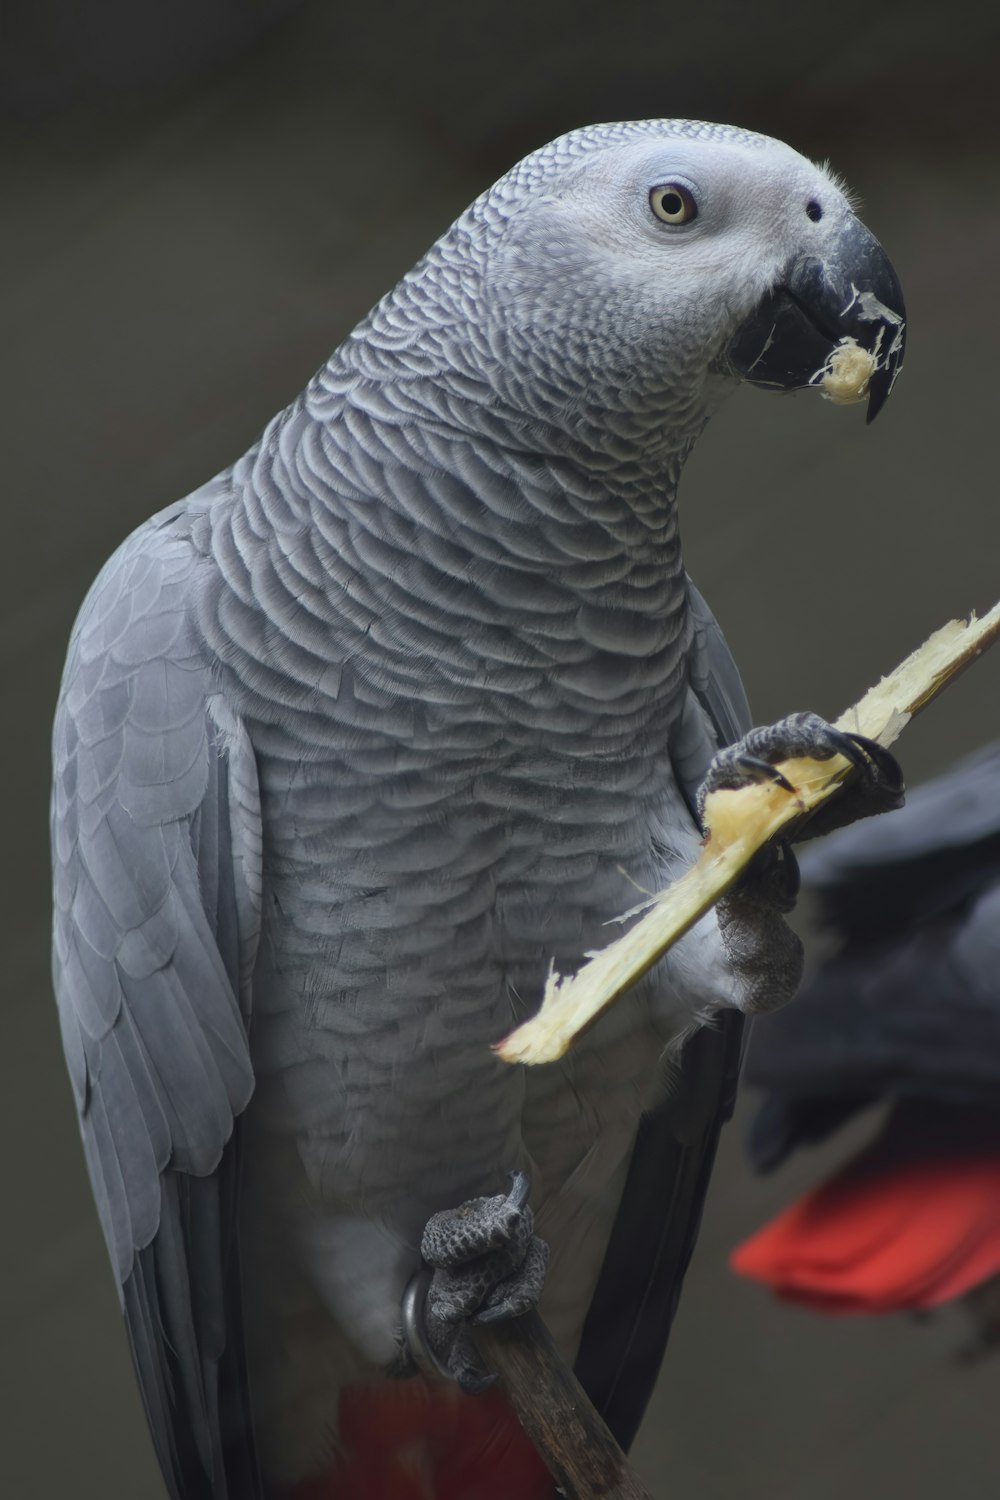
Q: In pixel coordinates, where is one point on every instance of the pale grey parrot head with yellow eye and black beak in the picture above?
(668, 260)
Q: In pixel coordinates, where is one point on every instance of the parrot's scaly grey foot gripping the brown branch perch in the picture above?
(484, 1264)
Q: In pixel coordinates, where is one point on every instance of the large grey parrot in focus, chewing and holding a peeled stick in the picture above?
(359, 739)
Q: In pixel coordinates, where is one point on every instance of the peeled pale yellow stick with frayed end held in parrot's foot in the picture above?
(738, 824)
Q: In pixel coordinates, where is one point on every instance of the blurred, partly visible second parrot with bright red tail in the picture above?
(905, 1015)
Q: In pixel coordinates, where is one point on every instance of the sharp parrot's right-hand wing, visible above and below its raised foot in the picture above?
(653, 1240)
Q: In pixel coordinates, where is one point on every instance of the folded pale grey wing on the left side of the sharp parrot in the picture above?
(157, 850)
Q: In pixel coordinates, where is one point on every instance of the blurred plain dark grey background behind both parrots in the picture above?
(199, 202)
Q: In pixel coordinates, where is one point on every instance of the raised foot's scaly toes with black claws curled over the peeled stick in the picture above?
(873, 787)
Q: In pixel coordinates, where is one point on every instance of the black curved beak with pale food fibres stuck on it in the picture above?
(855, 293)
